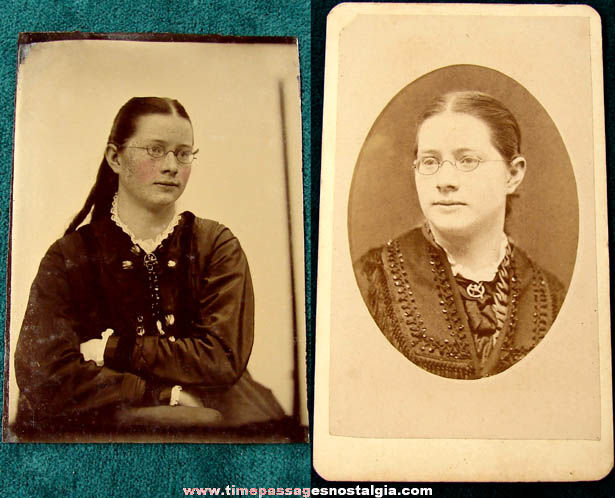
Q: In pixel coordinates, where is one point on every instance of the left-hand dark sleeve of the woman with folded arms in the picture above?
(50, 370)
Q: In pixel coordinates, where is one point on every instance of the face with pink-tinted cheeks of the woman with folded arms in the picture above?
(147, 181)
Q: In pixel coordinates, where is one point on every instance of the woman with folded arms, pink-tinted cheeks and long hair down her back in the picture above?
(142, 308)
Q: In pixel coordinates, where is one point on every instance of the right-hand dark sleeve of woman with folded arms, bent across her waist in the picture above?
(215, 350)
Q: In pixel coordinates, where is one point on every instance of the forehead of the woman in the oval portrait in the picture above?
(452, 131)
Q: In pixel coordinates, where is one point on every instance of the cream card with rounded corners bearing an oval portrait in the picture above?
(463, 298)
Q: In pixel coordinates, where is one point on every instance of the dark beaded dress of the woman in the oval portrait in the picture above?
(422, 309)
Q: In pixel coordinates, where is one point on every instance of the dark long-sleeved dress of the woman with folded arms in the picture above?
(182, 315)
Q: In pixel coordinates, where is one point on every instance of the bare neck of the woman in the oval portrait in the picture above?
(473, 252)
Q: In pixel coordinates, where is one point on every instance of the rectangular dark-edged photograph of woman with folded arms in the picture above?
(156, 253)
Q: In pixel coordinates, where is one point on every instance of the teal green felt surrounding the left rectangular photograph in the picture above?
(133, 469)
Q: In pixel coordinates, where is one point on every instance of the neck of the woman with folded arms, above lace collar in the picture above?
(144, 223)
